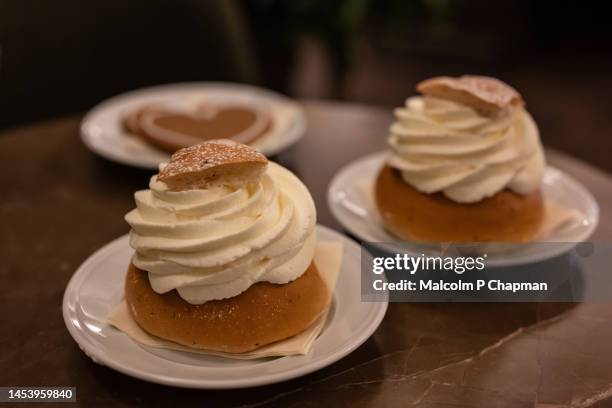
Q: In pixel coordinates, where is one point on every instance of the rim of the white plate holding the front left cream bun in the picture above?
(98, 356)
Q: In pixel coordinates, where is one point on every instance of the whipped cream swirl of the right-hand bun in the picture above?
(442, 146)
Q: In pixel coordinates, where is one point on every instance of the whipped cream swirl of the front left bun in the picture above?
(215, 243)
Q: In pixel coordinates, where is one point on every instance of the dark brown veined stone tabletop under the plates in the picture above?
(59, 203)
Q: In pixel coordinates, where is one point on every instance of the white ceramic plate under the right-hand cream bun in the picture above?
(351, 207)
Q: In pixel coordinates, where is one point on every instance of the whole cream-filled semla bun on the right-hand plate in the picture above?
(466, 165)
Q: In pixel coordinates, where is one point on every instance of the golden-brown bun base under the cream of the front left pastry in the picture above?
(263, 314)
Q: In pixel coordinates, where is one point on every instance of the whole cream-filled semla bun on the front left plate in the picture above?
(224, 243)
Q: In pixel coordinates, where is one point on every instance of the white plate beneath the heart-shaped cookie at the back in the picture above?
(103, 133)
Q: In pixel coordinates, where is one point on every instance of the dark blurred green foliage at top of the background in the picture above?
(340, 23)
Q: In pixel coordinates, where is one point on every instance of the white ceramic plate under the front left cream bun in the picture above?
(97, 286)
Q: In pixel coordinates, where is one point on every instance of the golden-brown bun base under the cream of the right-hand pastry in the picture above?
(415, 216)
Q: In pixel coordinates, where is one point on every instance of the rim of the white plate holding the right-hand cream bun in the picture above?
(334, 183)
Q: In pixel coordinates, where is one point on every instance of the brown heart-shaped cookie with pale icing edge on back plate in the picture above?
(173, 129)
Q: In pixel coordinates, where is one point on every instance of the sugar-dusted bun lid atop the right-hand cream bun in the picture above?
(485, 94)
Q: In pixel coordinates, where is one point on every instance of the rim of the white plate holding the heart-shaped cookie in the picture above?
(293, 134)
